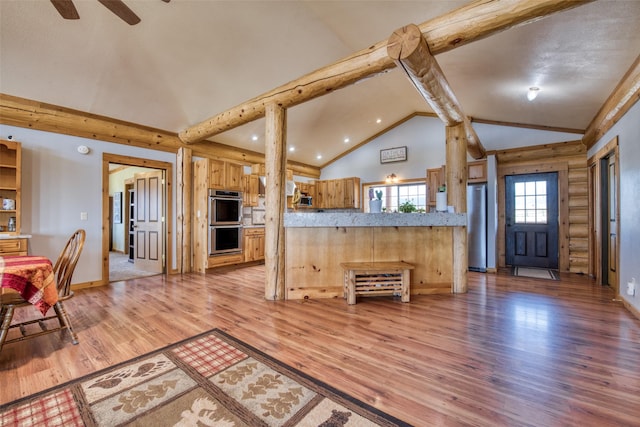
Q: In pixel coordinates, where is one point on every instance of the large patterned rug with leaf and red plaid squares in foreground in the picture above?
(211, 379)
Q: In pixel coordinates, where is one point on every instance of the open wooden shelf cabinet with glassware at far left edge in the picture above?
(10, 182)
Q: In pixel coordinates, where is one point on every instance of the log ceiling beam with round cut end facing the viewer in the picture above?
(409, 50)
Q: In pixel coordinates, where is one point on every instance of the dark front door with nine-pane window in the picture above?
(531, 219)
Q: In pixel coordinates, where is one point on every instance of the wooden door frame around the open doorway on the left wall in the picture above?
(106, 214)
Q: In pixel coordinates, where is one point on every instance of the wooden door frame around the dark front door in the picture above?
(562, 168)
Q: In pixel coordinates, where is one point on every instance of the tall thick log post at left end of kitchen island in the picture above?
(276, 201)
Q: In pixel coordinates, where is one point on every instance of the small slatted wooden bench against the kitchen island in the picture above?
(376, 278)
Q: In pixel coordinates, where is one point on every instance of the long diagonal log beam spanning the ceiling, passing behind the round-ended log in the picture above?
(464, 25)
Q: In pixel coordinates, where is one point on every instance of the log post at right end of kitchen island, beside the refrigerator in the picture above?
(457, 197)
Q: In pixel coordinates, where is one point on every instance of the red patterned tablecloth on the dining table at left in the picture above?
(32, 277)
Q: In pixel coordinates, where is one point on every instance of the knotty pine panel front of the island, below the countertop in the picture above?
(314, 256)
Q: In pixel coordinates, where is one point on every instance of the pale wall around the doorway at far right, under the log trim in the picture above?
(628, 132)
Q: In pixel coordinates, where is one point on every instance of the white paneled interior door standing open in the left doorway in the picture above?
(149, 221)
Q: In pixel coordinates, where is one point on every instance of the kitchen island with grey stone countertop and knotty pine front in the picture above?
(317, 243)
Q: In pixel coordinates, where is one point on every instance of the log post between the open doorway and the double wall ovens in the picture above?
(184, 205)
